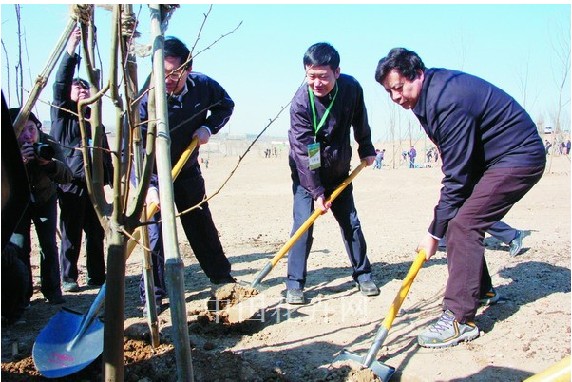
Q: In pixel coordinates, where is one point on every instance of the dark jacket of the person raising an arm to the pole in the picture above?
(65, 127)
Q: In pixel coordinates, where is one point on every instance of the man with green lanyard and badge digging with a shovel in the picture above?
(321, 117)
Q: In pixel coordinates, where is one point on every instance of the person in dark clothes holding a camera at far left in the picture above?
(45, 166)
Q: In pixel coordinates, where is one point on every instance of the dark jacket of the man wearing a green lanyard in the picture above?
(336, 152)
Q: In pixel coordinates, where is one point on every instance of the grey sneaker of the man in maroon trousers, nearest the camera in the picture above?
(447, 331)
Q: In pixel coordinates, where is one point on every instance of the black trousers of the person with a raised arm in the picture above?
(77, 215)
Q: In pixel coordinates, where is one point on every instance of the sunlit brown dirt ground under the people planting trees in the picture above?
(523, 335)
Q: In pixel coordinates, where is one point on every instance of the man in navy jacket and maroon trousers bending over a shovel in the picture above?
(492, 156)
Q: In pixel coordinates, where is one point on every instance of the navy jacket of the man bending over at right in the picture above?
(476, 126)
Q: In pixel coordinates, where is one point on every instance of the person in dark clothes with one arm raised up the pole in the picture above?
(76, 210)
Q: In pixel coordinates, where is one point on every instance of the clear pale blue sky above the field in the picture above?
(260, 64)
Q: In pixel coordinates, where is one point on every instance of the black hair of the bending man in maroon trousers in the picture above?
(407, 62)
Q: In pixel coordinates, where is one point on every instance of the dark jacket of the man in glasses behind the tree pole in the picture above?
(205, 104)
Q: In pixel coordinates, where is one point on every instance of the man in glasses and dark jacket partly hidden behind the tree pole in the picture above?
(198, 107)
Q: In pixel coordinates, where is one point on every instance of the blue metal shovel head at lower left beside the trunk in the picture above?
(50, 352)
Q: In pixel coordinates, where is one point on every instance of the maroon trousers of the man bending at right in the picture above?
(492, 197)
